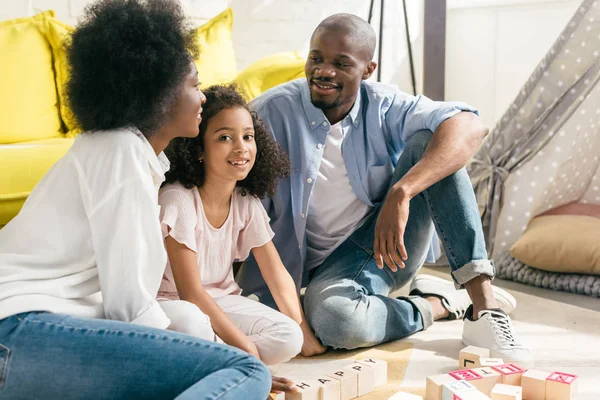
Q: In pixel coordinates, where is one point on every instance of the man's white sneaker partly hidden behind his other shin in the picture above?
(424, 285)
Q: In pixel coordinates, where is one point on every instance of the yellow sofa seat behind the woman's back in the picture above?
(27, 163)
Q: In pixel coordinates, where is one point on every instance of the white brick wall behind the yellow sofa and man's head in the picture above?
(264, 27)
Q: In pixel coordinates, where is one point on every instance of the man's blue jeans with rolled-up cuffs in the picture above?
(346, 301)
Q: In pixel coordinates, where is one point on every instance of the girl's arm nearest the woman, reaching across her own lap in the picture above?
(184, 265)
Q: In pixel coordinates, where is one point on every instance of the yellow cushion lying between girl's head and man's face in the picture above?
(269, 72)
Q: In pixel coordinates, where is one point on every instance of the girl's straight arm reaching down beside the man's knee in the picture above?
(283, 289)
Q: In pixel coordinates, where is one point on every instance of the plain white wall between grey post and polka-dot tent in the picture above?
(492, 47)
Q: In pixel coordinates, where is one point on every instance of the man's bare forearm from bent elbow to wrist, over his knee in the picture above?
(452, 145)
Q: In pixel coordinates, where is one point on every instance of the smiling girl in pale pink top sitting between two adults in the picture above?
(211, 216)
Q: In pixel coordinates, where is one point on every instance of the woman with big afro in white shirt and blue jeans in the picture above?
(82, 262)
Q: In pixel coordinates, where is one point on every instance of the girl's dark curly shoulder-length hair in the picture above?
(271, 163)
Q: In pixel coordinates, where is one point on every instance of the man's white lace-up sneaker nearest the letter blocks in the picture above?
(493, 330)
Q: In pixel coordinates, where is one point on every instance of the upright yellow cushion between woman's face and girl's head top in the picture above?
(216, 62)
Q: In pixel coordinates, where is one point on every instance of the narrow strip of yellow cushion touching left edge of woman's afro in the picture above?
(57, 32)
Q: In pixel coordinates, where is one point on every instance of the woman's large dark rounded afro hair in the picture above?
(128, 59)
